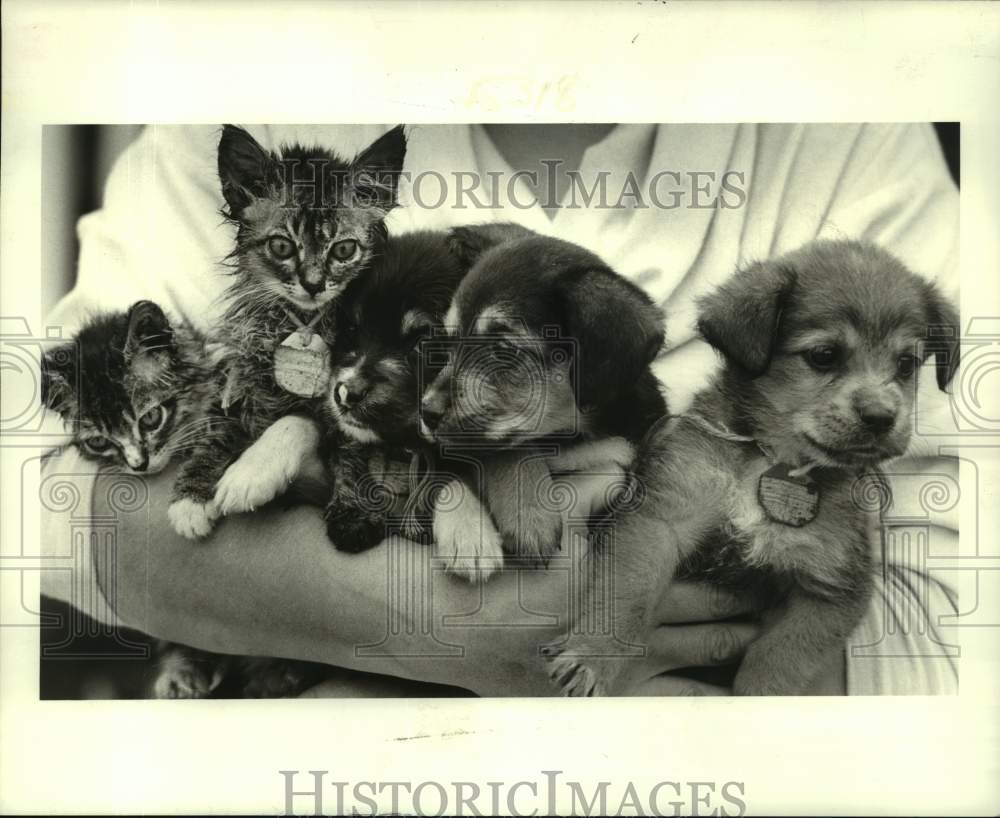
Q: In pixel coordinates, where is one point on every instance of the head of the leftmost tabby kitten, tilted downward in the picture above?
(133, 388)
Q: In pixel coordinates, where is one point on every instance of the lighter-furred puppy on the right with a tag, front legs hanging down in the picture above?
(760, 485)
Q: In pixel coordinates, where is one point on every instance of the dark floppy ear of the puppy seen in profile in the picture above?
(617, 328)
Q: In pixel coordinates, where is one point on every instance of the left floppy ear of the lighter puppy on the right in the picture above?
(740, 319)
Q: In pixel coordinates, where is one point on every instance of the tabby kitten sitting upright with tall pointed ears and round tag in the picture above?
(307, 224)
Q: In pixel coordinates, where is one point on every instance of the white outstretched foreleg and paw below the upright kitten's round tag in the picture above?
(265, 470)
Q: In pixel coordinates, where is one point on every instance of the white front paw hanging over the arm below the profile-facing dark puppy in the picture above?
(465, 537)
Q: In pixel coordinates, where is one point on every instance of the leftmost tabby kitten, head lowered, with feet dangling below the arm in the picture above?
(136, 391)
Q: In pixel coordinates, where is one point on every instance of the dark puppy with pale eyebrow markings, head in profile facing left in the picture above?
(548, 348)
